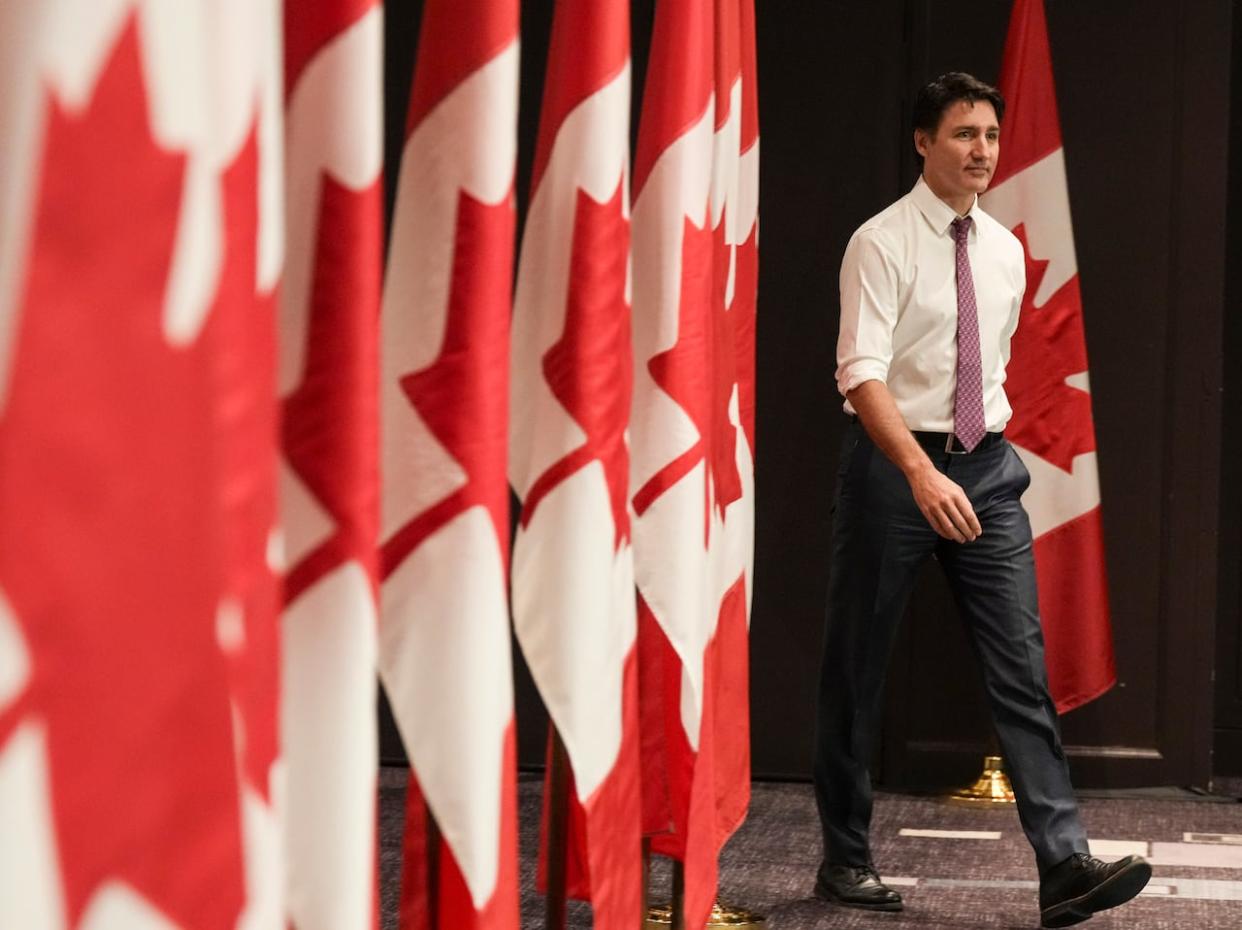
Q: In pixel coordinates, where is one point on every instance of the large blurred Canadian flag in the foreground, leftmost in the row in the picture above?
(141, 249)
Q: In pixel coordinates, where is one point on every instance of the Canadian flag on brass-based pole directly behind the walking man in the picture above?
(1053, 427)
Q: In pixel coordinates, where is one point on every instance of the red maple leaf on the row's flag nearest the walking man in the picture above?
(700, 373)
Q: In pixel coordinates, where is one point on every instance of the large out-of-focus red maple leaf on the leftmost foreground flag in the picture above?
(111, 552)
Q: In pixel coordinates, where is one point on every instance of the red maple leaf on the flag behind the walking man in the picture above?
(1051, 419)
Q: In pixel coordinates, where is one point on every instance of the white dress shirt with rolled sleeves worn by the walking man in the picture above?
(900, 309)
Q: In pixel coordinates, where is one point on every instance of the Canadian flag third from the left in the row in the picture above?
(445, 626)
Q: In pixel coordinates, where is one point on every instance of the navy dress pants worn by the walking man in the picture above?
(881, 539)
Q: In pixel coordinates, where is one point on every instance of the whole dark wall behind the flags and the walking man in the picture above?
(1145, 100)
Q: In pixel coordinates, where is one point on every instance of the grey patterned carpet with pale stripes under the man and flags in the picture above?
(948, 883)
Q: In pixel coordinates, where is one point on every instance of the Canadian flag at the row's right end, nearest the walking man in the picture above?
(695, 239)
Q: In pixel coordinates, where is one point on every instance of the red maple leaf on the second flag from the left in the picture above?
(330, 429)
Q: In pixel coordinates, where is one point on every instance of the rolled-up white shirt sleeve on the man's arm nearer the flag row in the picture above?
(869, 311)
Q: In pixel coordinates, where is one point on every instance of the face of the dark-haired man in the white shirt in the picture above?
(961, 157)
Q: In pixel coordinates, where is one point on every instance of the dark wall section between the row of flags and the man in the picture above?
(833, 109)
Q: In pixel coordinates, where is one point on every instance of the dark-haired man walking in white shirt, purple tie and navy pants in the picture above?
(931, 292)
